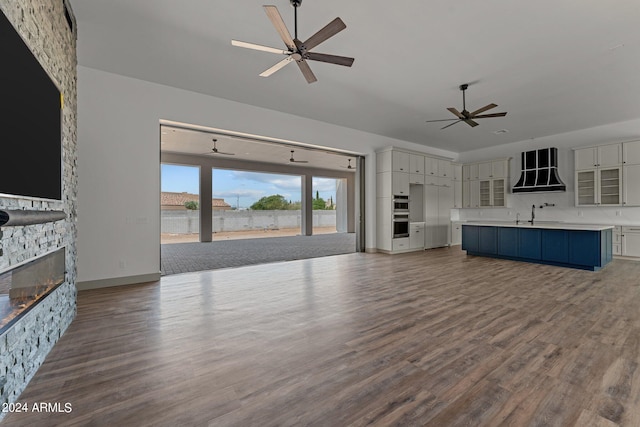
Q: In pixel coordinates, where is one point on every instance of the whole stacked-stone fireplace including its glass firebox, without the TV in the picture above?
(31, 253)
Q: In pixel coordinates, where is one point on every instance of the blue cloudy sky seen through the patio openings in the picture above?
(240, 188)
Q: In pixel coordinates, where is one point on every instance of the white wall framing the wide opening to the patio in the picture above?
(119, 163)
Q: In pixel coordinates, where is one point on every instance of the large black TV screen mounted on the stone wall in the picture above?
(30, 122)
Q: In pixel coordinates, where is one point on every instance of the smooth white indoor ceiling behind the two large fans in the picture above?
(554, 66)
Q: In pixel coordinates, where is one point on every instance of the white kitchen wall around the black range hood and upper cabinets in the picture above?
(565, 209)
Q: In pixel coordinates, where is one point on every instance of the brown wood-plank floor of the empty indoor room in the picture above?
(435, 338)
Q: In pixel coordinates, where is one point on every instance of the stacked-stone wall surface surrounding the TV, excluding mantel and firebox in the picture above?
(48, 28)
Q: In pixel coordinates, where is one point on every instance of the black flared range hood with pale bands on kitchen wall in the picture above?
(539, 172)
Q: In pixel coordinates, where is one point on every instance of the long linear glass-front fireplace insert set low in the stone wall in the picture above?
(22, 287)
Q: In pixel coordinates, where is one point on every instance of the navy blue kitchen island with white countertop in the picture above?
(583, 246)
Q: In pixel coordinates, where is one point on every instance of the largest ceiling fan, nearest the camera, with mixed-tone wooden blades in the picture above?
(297, 50)
